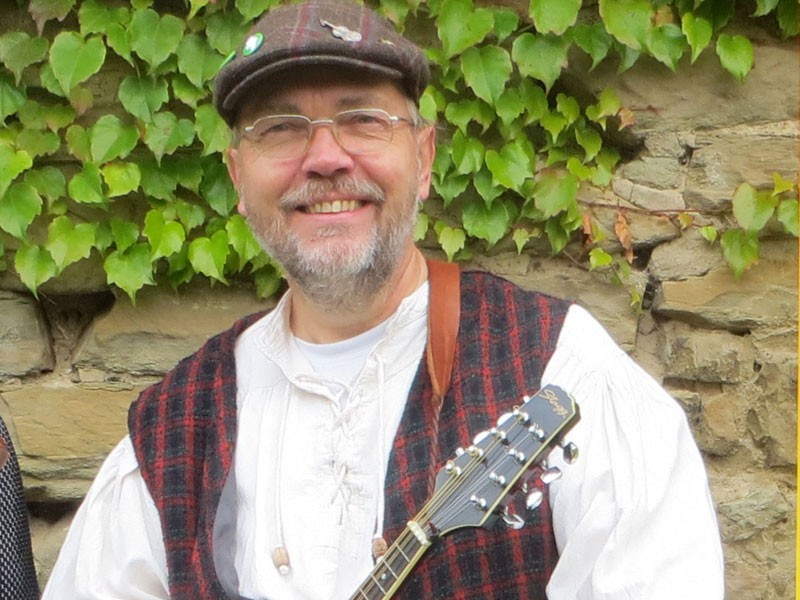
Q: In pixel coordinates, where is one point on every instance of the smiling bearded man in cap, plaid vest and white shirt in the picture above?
(279, 460)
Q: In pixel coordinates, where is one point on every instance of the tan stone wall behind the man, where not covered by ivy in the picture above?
(72, 361)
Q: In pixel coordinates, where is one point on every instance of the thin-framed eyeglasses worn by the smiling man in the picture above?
(361, 131)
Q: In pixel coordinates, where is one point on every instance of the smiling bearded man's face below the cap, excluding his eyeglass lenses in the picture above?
(330, 216)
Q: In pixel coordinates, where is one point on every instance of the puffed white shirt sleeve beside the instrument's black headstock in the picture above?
(633, 517)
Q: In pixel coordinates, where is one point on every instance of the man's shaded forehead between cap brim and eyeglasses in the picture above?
(341, 89)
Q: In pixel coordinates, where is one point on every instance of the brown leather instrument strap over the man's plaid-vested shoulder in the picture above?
(444, 311)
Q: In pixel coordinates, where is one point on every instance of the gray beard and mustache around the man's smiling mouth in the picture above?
(339, 278)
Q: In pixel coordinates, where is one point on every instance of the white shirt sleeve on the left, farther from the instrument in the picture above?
(114, 547)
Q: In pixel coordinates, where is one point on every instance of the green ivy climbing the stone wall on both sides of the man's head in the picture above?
(110, 147)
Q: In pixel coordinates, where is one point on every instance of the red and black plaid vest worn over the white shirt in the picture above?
(184, 429)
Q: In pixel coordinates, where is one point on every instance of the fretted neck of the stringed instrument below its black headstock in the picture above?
(395, 565)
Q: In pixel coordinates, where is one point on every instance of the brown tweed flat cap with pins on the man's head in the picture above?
(318, 32)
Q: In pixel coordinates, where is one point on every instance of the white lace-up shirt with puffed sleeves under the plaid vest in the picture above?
(633, 517)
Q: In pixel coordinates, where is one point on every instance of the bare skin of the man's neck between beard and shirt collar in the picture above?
(313, 324)
